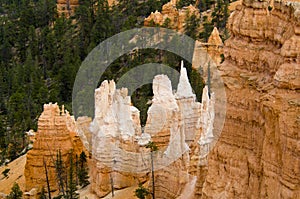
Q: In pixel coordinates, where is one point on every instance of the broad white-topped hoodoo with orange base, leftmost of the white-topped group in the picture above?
(114, 142)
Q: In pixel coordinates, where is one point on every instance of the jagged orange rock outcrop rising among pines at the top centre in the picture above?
(170, 13)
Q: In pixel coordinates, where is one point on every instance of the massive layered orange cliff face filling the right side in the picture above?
(258, 154)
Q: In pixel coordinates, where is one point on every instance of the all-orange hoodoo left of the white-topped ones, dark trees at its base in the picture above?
(56, 132)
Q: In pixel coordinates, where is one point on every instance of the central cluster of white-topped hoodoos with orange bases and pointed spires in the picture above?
(176, 123)
